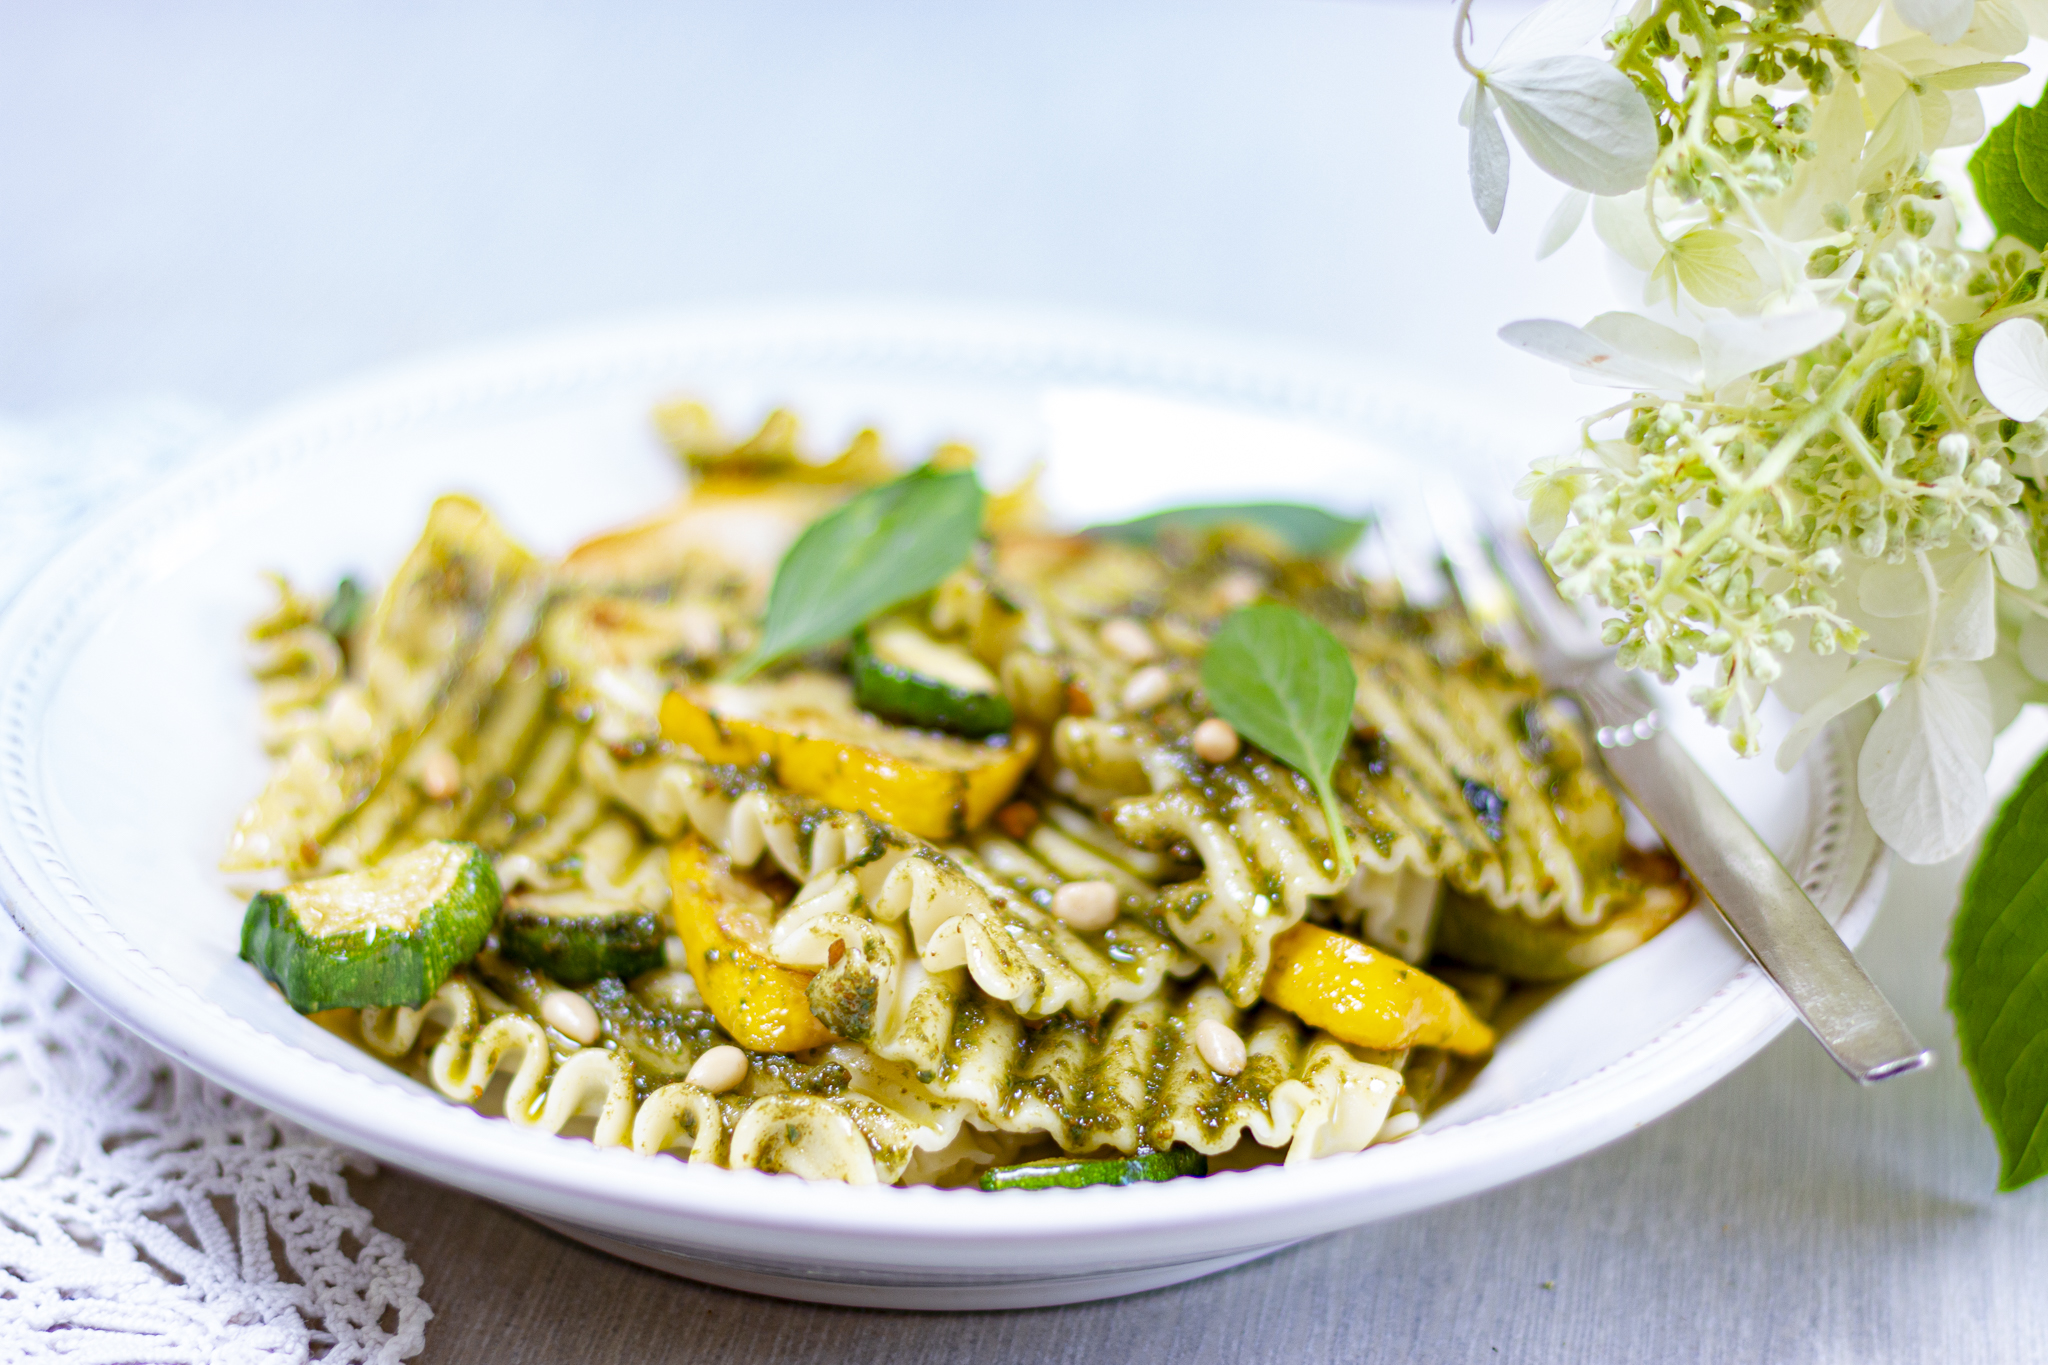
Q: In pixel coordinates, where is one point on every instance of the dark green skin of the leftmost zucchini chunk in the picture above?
(361, 969)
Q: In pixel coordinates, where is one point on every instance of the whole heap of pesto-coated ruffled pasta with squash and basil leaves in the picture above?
(853, 824)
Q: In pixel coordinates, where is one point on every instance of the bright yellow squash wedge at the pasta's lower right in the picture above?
(1369, 998)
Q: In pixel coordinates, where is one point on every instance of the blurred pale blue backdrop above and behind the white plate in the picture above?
(241, 200)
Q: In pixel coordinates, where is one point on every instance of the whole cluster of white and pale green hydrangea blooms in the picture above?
(1775, 507)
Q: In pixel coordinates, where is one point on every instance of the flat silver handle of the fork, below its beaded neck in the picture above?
(1768, 912)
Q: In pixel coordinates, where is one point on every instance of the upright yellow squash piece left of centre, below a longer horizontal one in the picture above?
(724, 928)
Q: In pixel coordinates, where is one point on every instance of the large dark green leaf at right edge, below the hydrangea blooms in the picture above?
(1998, 985)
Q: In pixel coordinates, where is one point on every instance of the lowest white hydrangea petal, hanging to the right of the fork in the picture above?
(1922, 770)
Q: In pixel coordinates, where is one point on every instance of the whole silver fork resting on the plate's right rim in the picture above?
(1510, 597)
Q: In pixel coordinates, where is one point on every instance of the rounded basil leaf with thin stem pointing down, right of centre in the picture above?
(1287, 687)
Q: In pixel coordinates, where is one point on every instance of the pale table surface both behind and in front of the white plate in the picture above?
(237, 202)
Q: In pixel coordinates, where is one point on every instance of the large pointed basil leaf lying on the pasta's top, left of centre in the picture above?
(884, 547)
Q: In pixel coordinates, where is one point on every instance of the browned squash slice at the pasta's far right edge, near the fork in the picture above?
(1551, 951)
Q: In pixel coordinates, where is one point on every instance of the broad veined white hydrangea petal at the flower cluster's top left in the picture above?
(1580, 120)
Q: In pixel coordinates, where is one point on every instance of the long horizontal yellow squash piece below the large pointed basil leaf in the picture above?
(818, 744)
